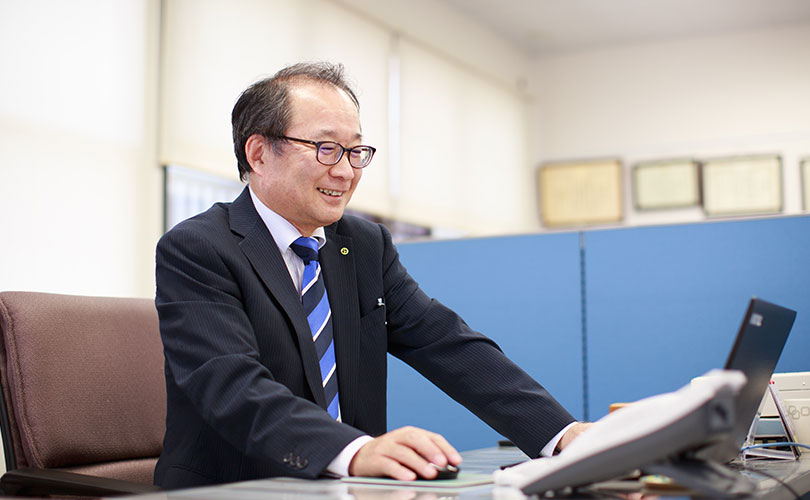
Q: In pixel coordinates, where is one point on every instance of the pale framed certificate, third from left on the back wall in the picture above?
(742, 185)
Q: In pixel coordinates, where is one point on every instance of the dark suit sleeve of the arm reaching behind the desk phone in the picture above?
(465, 364)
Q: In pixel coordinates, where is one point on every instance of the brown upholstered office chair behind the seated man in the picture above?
(83, 400)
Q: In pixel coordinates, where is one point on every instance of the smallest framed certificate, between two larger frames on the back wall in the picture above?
(666, 184)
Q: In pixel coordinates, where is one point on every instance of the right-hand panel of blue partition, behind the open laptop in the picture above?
(665, 303)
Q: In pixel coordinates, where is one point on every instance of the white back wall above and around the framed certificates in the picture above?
(706, 97)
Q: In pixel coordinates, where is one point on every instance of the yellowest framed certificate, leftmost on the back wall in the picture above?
(580, 193)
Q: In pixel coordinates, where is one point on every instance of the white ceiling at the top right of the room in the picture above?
(543, 27)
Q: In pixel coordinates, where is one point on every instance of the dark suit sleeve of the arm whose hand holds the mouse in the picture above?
(213, 362)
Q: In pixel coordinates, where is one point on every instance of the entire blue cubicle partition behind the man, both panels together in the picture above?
(660, 305)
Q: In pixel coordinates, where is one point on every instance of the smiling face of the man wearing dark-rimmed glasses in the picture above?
(293, 183)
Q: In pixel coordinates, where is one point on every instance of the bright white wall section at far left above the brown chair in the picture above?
(78, 180)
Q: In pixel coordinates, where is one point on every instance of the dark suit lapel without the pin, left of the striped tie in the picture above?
(262, 252)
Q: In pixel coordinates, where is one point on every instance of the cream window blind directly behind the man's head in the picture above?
(213, 50)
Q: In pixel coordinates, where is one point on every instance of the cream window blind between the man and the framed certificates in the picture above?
(464, 149)
